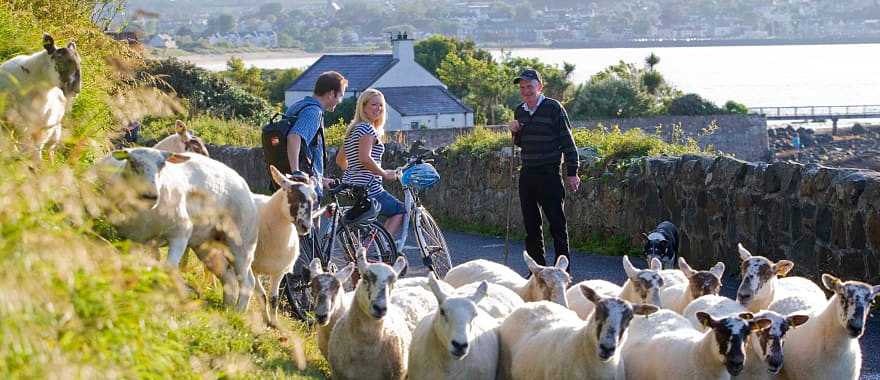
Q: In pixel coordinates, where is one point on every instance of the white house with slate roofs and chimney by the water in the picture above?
(416, 99)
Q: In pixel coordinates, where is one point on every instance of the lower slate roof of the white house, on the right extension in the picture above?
(423, 100)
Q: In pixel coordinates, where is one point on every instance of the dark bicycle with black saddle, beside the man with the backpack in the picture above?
(322, 243)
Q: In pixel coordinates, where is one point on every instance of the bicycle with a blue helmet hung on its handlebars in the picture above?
(432, 245)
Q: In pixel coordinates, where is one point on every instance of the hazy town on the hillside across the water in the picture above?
(193, 25)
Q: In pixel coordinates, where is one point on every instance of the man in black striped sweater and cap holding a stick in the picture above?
(541, 128)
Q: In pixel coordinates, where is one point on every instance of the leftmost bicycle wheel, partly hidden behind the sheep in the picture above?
(296, 286)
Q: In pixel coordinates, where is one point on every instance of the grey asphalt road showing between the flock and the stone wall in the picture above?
(467, 247)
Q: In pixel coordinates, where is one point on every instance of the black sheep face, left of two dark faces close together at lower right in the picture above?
(731, 334)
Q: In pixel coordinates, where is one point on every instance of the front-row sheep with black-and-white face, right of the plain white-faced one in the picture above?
(532, 336)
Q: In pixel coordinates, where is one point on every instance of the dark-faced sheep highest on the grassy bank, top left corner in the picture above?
(42, 87)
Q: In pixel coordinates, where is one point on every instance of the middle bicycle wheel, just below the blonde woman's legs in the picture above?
(380, 245)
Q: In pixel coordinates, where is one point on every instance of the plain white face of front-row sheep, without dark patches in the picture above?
(452, 324)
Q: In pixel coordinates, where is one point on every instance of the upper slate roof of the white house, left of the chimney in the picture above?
(361, 70)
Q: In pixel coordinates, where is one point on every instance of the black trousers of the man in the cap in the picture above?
(542, 191)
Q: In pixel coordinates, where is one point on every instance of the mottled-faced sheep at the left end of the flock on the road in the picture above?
(331, 300)
